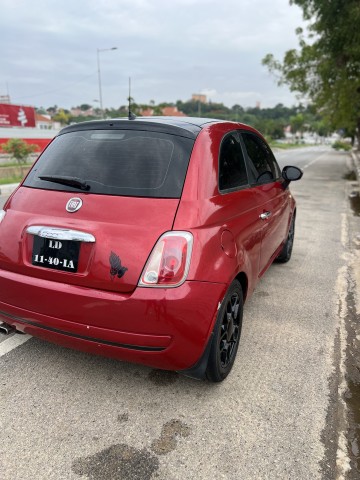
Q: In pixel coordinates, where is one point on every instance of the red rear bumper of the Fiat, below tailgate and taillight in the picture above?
(162, 328)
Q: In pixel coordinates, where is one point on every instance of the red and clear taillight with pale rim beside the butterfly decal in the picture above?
(169, 261)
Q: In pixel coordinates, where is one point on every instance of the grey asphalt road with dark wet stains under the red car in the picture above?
(68, 415)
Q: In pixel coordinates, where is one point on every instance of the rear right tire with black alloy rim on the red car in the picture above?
(227, 332)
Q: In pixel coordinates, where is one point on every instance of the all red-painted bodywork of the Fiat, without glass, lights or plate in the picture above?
(162, 327)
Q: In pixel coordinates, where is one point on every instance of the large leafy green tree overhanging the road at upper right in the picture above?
(326, 68)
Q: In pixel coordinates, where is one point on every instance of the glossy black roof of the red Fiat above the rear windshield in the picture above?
(188, 127)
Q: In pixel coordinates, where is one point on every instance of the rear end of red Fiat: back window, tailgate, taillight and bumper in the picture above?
(88, 257)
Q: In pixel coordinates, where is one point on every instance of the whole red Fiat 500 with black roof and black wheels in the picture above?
(140, 240)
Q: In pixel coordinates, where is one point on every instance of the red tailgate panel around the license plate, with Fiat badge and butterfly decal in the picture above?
(118, 224)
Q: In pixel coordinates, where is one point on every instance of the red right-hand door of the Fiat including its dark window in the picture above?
(271, 197)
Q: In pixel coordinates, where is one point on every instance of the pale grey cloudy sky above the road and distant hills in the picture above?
(171, 49)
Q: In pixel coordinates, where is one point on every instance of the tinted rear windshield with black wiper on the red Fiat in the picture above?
(118, 162)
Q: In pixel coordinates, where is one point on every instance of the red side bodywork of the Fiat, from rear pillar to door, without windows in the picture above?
(202, 208)
